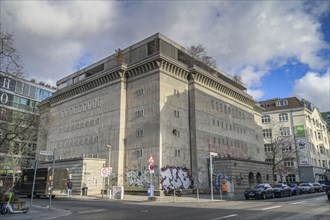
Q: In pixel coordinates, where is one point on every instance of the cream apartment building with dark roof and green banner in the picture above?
(295, 131)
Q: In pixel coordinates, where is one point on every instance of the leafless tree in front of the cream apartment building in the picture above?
(279, 148)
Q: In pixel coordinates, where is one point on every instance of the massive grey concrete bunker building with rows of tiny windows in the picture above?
(155, 108)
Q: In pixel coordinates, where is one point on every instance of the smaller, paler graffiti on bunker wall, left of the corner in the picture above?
(138, 178)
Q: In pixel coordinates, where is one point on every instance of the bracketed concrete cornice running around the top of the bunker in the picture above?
(157, 61)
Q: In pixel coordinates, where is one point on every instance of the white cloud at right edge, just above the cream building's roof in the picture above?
(314, 88)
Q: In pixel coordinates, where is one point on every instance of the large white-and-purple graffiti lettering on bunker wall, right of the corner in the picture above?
(177, 177)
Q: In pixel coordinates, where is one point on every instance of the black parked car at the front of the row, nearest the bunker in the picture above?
(260, 191)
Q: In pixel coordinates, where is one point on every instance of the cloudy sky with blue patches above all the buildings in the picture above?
(279, 48)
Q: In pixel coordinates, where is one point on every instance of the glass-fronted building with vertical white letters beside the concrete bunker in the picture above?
(19, 119)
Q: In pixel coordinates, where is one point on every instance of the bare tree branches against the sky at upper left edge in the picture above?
(10, 61)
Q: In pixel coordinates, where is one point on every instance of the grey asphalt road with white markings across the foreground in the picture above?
(304, 207)
